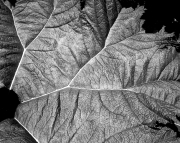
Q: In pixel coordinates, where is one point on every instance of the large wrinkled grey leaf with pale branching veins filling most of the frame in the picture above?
(88, 75)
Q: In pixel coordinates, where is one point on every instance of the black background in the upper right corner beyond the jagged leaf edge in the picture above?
(159, 13)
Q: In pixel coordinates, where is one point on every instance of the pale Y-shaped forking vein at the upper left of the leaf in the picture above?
(27, 46)
